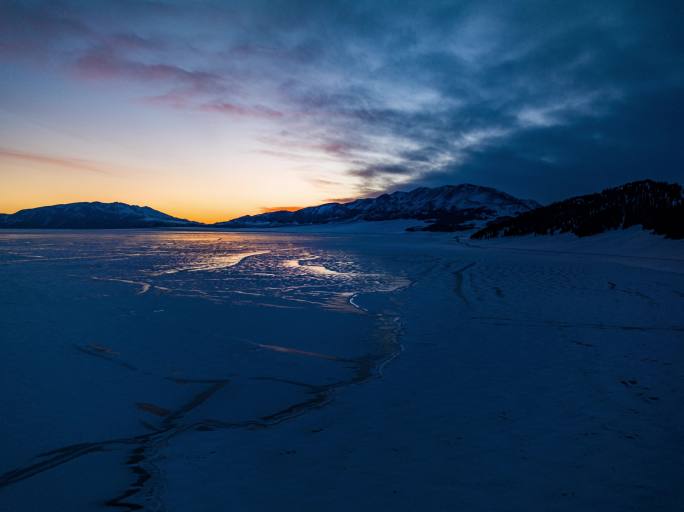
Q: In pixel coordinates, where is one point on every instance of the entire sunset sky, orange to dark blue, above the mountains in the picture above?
(213, 109)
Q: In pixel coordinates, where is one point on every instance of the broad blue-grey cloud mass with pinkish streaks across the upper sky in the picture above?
(544, 100)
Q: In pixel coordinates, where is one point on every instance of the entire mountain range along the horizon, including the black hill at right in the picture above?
(656, 206)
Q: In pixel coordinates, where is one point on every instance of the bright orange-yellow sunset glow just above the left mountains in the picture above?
(30, 181)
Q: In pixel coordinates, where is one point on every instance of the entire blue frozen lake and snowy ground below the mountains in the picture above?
(214, 371)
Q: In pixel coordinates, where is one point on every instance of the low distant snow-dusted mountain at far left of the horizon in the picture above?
(94, 215)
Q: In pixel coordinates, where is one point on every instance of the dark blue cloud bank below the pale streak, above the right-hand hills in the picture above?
(588, 154)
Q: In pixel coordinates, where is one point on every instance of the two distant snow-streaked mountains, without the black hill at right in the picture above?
(442, 204)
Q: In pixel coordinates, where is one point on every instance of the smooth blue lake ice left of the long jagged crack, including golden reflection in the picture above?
(176, 332)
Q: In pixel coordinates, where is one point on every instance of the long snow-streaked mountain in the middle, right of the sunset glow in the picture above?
(450, 204)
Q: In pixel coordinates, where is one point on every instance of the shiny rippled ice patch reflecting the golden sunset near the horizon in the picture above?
(271, 270)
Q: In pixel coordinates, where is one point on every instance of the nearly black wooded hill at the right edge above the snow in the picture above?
(656, 206)
